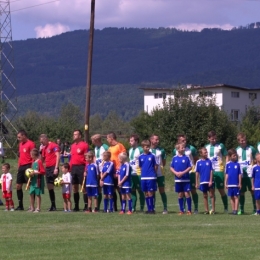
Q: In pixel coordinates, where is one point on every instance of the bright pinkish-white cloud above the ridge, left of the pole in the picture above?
(50, 30)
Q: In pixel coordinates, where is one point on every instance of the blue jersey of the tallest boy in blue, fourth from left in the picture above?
(147, 163)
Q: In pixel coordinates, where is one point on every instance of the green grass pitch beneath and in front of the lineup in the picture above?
(59, 235)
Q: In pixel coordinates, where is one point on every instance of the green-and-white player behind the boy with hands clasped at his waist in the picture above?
(191, 153)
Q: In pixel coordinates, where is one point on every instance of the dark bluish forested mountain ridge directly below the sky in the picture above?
(132, 56)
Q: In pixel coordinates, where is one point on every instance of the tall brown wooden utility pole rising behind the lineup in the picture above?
(89, 69)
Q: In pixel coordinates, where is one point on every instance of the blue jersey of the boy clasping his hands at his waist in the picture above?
(180, 164)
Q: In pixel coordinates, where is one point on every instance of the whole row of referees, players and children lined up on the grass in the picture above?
(107, 169)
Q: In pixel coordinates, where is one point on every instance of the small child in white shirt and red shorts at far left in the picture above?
(6, 180)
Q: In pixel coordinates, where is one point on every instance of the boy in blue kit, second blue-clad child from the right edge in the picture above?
(233, 179)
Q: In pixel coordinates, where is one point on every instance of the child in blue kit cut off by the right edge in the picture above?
(256, 183)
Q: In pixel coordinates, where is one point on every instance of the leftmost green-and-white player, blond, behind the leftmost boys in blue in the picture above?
(100, 148)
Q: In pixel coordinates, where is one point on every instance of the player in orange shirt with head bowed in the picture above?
(115, 148)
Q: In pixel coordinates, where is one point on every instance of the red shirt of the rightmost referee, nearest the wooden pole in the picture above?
(77, 152)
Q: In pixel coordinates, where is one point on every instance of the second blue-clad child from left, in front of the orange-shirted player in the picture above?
(107, 181)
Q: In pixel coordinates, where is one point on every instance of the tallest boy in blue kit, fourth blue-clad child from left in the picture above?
(148, 165)
